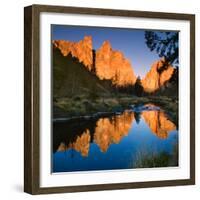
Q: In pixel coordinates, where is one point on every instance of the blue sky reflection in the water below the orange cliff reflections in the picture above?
(140, 139)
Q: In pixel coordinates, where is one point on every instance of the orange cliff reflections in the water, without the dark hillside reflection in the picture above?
(111, 130)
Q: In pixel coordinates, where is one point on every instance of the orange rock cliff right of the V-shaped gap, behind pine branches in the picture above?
(158, 75)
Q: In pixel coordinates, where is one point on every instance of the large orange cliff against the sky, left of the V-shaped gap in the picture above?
(109, 64)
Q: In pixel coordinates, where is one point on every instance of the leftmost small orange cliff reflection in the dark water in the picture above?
(82, 144)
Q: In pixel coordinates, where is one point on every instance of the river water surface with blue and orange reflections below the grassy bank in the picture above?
(76, 149)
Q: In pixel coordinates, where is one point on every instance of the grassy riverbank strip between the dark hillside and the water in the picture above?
(76, 107)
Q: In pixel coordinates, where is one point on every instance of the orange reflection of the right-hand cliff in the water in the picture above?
(159, 124)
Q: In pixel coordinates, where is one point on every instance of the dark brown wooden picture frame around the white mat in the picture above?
(32, 91)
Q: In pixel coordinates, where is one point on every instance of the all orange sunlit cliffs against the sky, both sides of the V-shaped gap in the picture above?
(109, 64)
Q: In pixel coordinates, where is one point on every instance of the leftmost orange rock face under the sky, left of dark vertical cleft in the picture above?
(81, 50)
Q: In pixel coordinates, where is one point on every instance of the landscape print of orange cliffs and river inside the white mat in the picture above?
(114, 98)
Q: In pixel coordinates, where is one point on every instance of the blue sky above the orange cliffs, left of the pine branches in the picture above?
(130, 41)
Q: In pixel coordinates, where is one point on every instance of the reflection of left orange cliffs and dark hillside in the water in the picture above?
(103, 132)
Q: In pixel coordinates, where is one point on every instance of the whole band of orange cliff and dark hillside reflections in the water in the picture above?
(105, 131)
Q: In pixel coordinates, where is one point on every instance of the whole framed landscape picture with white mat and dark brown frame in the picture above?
(109, 99)
